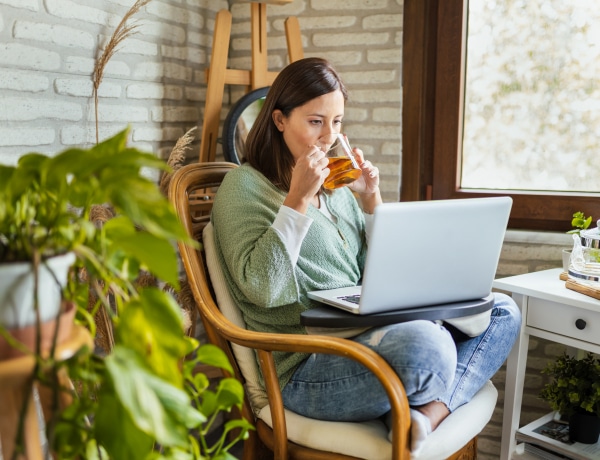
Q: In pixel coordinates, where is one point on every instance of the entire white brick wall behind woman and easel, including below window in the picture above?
(156, 84)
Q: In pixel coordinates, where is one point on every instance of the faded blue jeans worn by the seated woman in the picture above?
(432, 363)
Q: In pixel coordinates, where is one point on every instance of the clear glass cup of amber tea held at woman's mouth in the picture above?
(343, 166)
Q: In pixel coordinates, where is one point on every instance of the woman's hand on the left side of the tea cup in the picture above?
(308, 175)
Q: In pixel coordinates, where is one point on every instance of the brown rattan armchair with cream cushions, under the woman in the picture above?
(284, 433)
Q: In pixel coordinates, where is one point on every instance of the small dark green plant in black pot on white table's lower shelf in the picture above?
(574, 392)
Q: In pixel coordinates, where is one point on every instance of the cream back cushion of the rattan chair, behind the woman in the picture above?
(244, 356)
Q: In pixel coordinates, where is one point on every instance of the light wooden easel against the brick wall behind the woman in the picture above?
(218, 75)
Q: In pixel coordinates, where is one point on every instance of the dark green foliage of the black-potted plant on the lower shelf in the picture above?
(575, 385)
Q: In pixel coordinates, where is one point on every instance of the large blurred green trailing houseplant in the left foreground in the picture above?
(142, 399)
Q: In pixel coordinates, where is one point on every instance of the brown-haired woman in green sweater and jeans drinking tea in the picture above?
(279, 235)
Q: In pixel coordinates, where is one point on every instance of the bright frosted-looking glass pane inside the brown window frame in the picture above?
(532, 96)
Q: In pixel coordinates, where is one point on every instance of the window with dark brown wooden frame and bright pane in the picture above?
(446, 125)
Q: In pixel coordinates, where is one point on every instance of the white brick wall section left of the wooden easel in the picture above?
(155, 81)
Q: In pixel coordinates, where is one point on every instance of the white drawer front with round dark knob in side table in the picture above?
(562, 319)
